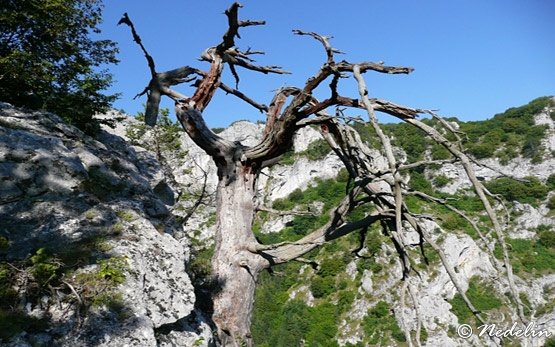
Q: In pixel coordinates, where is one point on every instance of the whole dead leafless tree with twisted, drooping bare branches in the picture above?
(239, 257)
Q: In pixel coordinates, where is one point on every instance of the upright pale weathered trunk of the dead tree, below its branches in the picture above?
(234, 268)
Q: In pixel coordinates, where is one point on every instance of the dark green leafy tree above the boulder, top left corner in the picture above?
(49, 59)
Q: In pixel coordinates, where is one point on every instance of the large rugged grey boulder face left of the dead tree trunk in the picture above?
(93, 207)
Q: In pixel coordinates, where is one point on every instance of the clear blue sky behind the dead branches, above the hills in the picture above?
(472, 58)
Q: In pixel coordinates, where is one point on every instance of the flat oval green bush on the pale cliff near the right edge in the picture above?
(529, 191)
